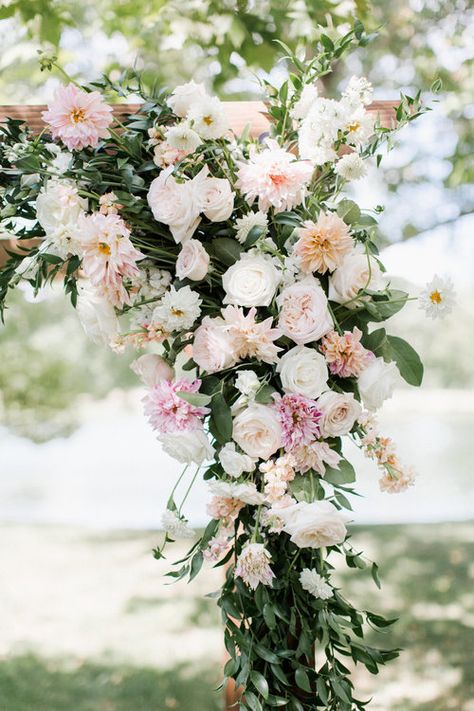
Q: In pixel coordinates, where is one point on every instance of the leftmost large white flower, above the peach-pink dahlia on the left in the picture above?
(59, 204)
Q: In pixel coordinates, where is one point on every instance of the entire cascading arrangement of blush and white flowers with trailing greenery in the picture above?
(254, 290)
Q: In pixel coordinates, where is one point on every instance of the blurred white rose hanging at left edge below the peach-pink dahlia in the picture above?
(97, 316)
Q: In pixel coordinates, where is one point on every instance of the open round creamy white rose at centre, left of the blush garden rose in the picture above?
(251, 281)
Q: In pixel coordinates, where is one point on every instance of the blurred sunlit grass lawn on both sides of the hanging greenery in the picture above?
(87, 624)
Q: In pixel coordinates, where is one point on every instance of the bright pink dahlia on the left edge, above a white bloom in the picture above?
(167, 412)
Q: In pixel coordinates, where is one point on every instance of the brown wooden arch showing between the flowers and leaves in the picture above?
(241, 114)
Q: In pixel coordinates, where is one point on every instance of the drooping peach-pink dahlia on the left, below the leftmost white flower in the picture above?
(108, 255)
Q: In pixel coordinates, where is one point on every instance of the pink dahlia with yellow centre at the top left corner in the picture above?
(79, 118)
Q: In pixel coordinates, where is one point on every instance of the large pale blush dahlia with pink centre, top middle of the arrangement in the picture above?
(275, 177)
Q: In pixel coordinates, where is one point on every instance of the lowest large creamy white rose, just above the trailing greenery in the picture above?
(314, 525)
